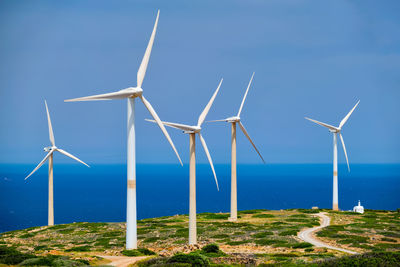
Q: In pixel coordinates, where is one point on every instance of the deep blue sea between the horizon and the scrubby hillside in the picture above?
(99, 193)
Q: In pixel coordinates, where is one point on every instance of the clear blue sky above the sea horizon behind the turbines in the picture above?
(311, 58)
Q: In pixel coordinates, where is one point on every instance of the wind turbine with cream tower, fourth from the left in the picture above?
(236, 120)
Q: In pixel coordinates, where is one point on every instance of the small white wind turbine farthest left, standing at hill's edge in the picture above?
(51, 149)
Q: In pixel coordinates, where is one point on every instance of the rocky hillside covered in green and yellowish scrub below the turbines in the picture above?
(259, 237)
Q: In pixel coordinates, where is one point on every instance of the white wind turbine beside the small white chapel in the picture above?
(336, 131)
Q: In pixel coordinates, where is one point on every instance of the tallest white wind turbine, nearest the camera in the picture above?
(130, 94)
